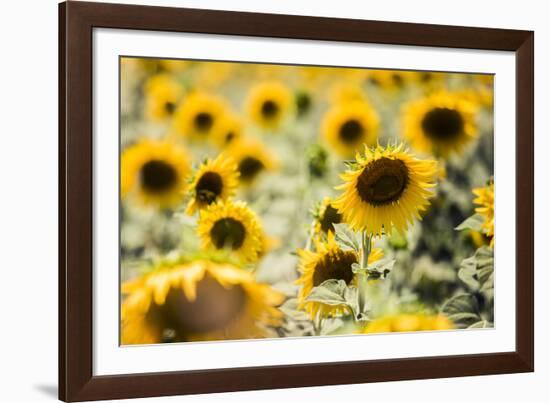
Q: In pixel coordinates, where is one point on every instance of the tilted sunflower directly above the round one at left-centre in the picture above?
(213, 181)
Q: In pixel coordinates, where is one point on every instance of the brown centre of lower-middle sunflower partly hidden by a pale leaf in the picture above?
(334, 265)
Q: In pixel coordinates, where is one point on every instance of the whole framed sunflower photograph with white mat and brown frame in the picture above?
(252, 201)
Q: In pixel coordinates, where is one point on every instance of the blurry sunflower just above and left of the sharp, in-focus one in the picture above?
(347, 126)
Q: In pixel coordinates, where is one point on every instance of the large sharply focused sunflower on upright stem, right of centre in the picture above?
(385, 188)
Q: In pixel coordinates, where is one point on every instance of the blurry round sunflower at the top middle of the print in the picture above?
(269, 104)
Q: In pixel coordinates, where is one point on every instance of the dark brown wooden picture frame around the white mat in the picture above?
(77, 20)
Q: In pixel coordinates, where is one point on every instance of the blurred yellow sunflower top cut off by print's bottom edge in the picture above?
(408, 323)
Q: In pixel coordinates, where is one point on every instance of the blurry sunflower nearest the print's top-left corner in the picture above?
(163, 94)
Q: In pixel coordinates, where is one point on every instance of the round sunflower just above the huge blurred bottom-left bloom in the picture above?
(233, 226)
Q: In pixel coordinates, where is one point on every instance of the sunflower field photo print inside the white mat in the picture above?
(262, 200)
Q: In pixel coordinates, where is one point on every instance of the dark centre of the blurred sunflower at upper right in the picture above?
(443, 124)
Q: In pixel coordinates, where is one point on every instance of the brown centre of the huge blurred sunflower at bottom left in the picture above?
(214, 308)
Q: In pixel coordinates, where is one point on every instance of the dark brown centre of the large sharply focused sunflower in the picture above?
(383, 181)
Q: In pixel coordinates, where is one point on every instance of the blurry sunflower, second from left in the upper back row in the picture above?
(199, 116)
